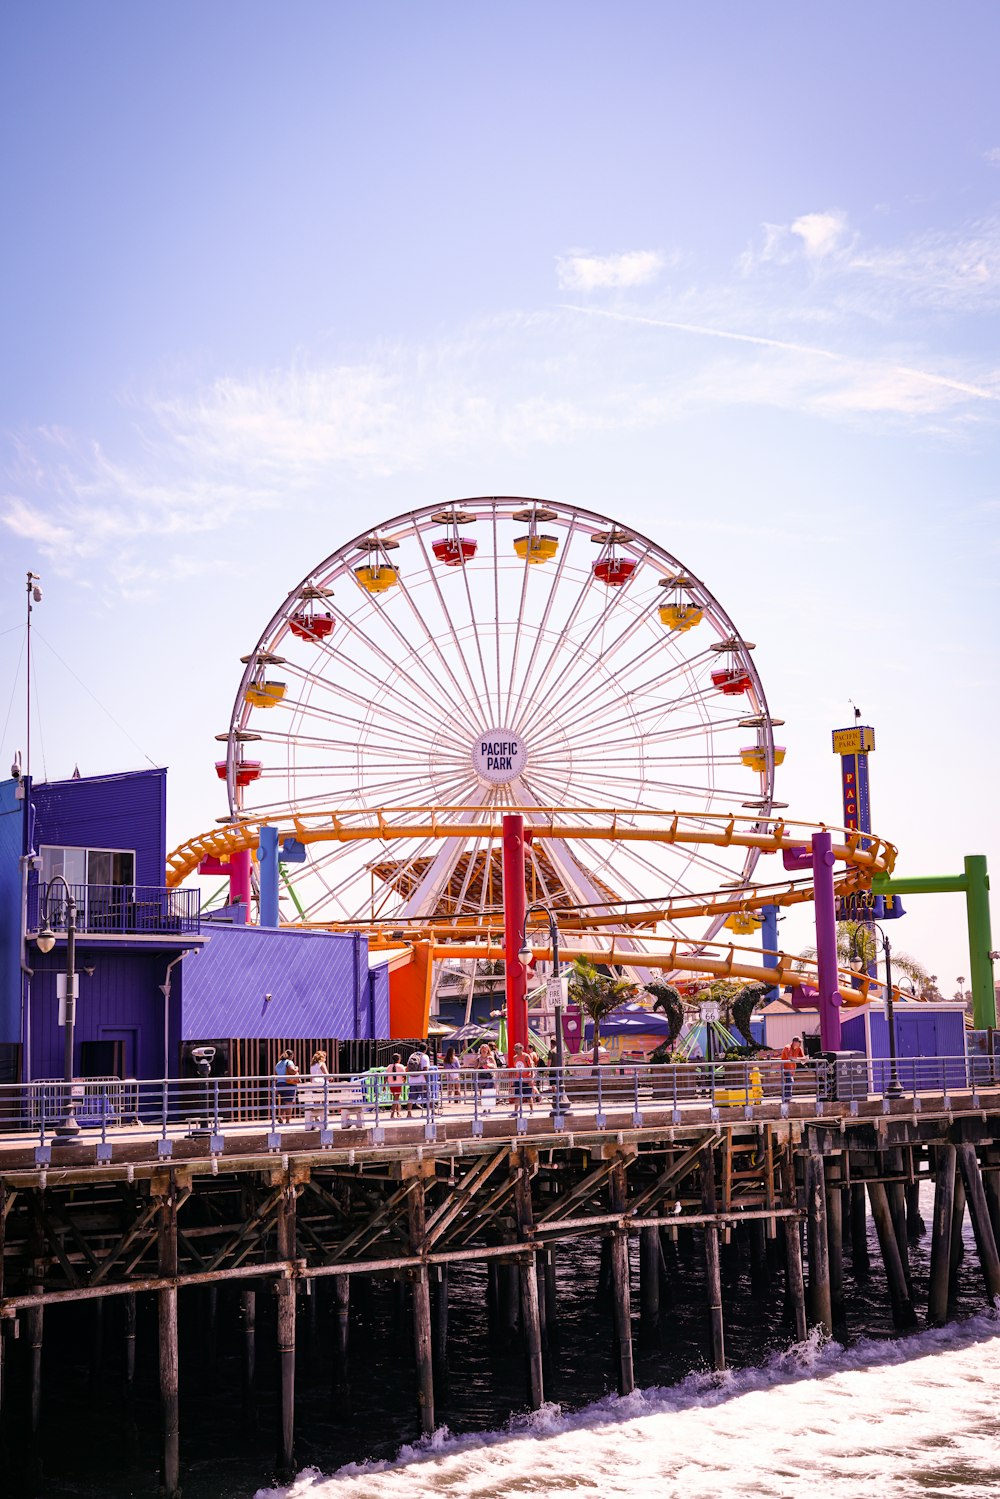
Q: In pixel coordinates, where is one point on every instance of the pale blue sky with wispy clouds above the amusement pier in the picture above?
(726, 272)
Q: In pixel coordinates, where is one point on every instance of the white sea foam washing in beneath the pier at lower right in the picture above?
(915, 1417)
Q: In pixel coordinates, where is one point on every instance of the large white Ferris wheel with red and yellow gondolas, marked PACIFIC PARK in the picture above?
(500, 653)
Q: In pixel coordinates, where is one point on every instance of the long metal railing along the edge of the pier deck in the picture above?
(232, 1113)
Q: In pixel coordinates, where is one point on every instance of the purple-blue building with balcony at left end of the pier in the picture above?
(154, 977)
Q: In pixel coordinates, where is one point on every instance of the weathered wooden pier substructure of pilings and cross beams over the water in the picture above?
(792, 1185)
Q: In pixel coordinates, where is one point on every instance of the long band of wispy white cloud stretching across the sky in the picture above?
(804, 329)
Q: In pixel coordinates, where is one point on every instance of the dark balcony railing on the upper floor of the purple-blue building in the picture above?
(118, 911)
